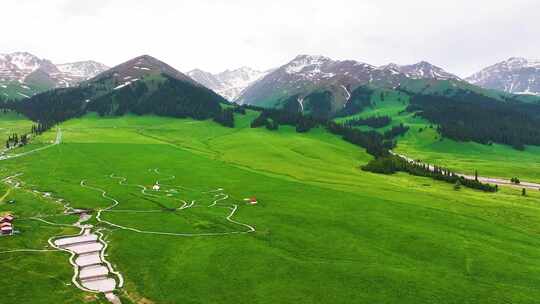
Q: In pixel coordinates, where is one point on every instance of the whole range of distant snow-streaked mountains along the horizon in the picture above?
(23, 75)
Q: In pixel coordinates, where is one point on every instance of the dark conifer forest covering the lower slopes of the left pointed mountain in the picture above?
(172, 97)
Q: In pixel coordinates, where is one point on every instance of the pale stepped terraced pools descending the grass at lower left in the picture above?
(91, 271)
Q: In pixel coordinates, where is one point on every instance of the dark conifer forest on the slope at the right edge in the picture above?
(468, 116)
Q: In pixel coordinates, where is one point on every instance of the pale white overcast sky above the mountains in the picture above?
(461, 36)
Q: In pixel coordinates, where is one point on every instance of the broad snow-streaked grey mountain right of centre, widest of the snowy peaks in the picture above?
(306, 74)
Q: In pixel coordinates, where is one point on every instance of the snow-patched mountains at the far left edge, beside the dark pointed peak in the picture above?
(23, 74)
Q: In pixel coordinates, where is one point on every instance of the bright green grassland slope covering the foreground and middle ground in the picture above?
(326, 232)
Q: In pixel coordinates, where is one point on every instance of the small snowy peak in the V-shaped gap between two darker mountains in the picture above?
(229, 83)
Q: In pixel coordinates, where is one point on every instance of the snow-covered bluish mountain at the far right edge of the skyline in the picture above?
(515, 75)
